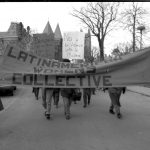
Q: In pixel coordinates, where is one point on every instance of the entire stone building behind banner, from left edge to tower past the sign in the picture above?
(46, 44)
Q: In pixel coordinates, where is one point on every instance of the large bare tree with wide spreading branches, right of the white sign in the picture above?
(99, 18)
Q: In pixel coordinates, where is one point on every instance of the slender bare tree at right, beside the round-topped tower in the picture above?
(132, 18)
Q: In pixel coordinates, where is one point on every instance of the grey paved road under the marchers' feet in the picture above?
(24, 127)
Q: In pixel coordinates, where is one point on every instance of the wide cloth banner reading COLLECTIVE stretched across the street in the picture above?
(25, 69)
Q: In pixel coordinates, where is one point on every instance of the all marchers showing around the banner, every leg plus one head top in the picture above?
(67, 95)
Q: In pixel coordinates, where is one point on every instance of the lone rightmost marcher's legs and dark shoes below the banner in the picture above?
(115, 93)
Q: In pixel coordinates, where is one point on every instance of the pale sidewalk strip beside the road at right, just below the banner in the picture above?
(140, 89)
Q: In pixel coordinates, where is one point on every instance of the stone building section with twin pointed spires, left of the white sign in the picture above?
(48, 44)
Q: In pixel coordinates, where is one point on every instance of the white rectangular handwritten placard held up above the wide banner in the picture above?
(73, 45)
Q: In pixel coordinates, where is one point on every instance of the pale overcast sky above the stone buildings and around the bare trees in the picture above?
(37, 14)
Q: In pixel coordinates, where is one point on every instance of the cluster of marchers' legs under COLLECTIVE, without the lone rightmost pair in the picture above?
(49, 94)
